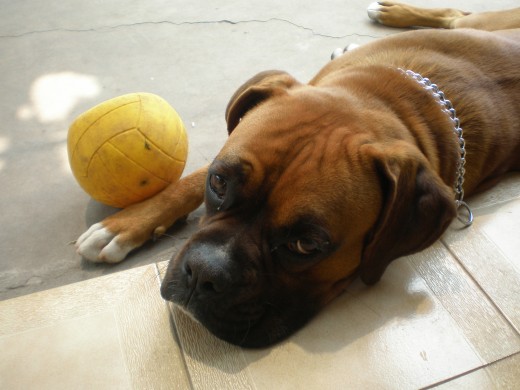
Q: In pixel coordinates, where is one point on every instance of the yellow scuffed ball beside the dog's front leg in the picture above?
(127, 149)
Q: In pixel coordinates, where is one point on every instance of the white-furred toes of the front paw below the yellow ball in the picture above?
(98, 244)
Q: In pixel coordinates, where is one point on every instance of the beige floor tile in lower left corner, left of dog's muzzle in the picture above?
(110, 332)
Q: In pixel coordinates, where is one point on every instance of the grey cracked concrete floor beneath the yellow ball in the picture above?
(58, 59)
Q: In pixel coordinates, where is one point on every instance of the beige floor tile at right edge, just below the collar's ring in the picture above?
(489, 250)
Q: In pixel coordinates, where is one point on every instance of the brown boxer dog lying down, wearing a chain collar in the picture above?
(321, 182)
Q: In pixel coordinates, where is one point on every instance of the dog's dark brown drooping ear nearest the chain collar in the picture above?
(417, 208)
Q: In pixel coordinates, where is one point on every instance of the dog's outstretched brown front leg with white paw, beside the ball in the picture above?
(111, 240)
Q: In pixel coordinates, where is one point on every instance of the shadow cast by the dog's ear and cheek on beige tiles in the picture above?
(366, 310)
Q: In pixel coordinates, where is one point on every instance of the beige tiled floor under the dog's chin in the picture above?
(448, 317)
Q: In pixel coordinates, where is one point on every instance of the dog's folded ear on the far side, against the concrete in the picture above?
(254, 91)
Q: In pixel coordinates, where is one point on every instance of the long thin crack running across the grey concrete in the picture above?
(223, 21)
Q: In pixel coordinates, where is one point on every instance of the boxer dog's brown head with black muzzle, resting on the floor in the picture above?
(304, 196)
